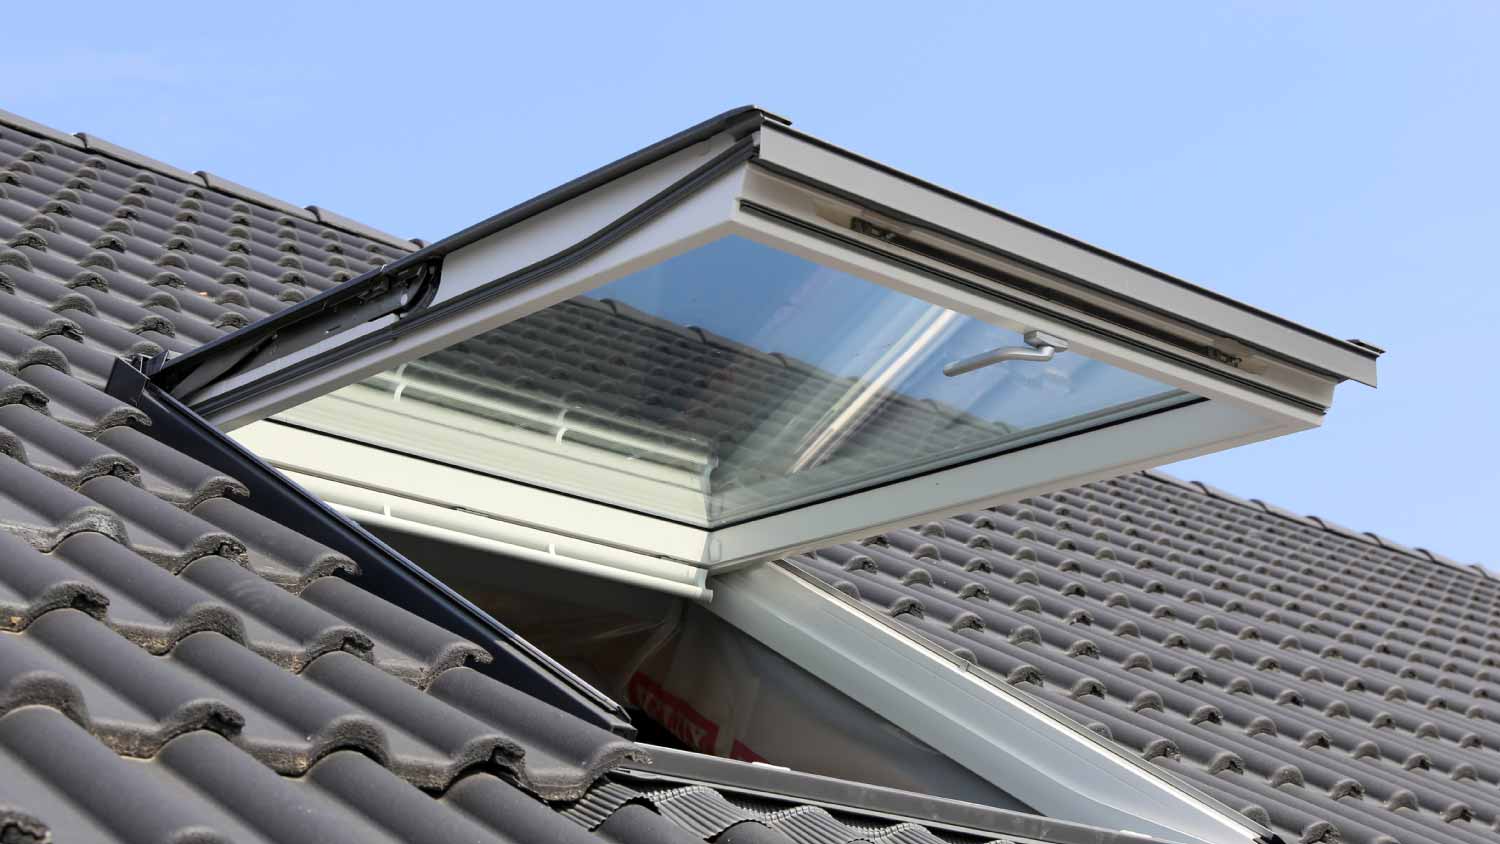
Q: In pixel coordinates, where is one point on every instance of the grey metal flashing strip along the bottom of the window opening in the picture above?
(875, 804)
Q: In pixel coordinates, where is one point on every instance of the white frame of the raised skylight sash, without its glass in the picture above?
(799, 197)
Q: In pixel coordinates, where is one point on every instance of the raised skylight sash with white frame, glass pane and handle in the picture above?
(745, 343)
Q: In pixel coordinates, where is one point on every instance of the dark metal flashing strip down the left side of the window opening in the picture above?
(383, 570)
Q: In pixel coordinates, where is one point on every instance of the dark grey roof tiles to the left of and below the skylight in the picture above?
(176, 666)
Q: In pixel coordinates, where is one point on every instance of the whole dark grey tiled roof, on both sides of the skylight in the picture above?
(175, 666)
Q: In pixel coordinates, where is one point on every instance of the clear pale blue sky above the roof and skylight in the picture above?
(1334, 164)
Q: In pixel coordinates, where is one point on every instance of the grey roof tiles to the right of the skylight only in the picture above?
(1318, 680)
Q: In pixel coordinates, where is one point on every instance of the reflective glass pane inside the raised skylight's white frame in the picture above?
(724, 385)
